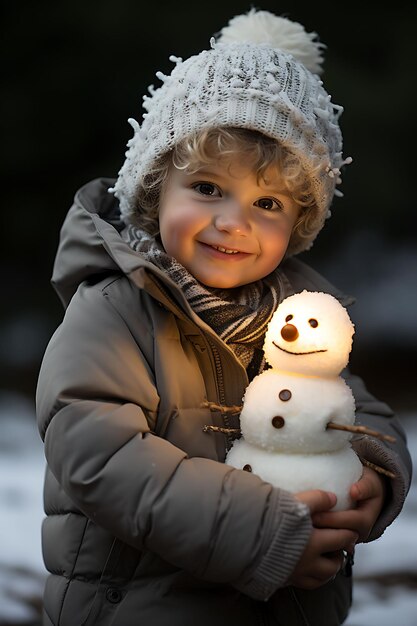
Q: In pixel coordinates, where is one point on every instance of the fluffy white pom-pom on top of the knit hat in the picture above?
(264, 27)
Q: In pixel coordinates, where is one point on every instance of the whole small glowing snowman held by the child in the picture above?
(295, 414)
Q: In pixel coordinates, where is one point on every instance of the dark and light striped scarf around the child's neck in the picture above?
(239, 315)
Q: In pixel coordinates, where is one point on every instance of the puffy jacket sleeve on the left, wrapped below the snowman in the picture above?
(95, 394)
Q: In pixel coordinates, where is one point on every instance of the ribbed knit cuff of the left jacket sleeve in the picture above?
(286, 535)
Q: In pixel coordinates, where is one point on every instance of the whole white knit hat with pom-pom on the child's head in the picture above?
(260, 74)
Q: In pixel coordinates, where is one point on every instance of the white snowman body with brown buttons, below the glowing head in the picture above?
(286, 441)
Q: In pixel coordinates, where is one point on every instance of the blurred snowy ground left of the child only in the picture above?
(21, 482)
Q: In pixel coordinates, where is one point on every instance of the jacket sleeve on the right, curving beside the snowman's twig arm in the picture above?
(394, 457)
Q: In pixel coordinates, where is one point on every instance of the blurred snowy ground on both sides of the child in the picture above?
(385, 570)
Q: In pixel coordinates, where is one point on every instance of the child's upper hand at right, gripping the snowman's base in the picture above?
(369, 495)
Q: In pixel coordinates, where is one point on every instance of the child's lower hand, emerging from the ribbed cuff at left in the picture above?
(323, 556)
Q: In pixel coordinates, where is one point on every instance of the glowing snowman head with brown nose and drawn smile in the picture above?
(311, 334)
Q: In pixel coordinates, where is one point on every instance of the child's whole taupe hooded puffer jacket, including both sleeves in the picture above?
(145, 523)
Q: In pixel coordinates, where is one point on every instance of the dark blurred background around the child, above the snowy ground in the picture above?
(73, 72)
